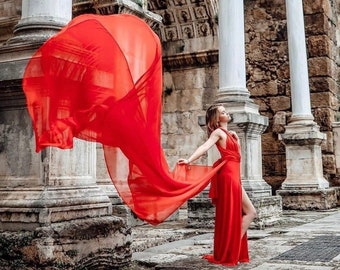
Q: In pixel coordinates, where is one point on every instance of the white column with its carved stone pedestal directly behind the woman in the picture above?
(247, 121)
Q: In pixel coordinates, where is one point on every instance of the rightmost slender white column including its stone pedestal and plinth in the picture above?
(304, 186)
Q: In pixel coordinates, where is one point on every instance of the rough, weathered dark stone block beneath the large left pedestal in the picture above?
(93, 243)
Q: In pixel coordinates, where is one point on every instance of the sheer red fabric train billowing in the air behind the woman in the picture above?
(100, 79)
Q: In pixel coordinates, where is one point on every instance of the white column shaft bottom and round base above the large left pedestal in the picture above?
(41, 19)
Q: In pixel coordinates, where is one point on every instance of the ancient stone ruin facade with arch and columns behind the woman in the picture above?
(35, 189)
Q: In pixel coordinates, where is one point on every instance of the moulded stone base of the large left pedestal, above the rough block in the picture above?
(31, 208)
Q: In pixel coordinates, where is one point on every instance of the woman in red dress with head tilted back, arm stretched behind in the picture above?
(234, 210)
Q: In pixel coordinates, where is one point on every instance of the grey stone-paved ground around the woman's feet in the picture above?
(304, 240)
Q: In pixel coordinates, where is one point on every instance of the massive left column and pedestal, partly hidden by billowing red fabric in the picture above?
(50, 205)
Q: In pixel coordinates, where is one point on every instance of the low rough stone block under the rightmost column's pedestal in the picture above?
(309, 199)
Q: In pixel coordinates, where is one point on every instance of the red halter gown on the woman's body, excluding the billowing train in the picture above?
(226, 194)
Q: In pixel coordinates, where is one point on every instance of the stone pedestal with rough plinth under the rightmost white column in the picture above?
(305, 187)
